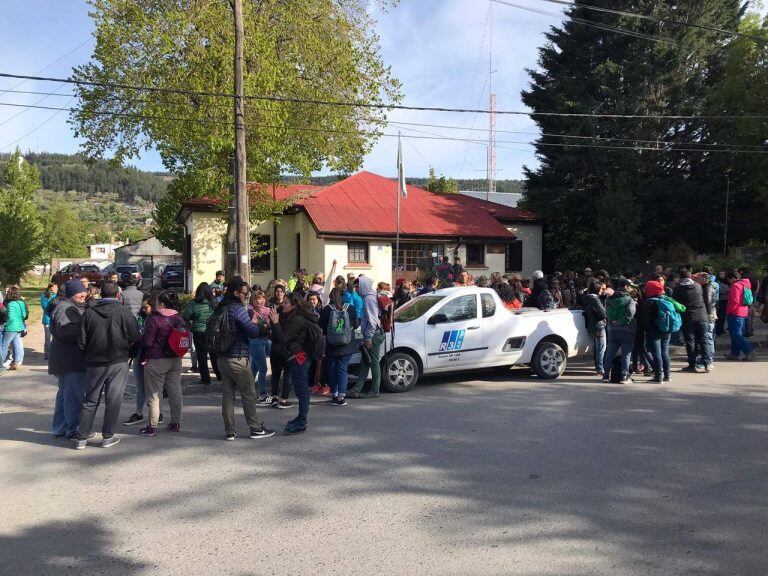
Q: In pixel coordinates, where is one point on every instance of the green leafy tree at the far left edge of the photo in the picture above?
(20, 228)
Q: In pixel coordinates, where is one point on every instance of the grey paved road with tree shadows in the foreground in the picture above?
(497, 475)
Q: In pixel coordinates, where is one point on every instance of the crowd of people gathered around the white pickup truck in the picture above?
(310, 329)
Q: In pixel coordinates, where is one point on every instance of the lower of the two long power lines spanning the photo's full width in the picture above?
(663, 147)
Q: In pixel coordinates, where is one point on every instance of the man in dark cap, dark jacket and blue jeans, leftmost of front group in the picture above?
(66, 360)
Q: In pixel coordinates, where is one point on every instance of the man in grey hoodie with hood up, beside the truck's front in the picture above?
(373, 338)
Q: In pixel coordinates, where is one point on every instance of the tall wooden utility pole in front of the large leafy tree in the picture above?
(243, 265)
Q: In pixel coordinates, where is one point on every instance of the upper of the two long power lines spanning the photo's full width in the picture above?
(388, 106)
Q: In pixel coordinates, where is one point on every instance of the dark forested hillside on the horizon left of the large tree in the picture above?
(65, 172)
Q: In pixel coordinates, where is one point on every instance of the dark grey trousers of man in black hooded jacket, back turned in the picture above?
(111, 381)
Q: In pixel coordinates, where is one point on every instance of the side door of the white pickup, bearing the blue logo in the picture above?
(454, 336)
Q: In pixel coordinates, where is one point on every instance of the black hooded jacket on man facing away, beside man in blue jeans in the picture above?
(107, 331)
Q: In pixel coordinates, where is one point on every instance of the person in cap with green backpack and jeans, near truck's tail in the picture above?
(620, 311)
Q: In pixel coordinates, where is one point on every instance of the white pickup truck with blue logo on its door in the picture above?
(468, 328)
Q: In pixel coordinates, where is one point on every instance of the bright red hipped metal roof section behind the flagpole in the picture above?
(365, 203)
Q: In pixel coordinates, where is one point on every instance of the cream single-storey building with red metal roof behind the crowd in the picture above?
(354, 222)
